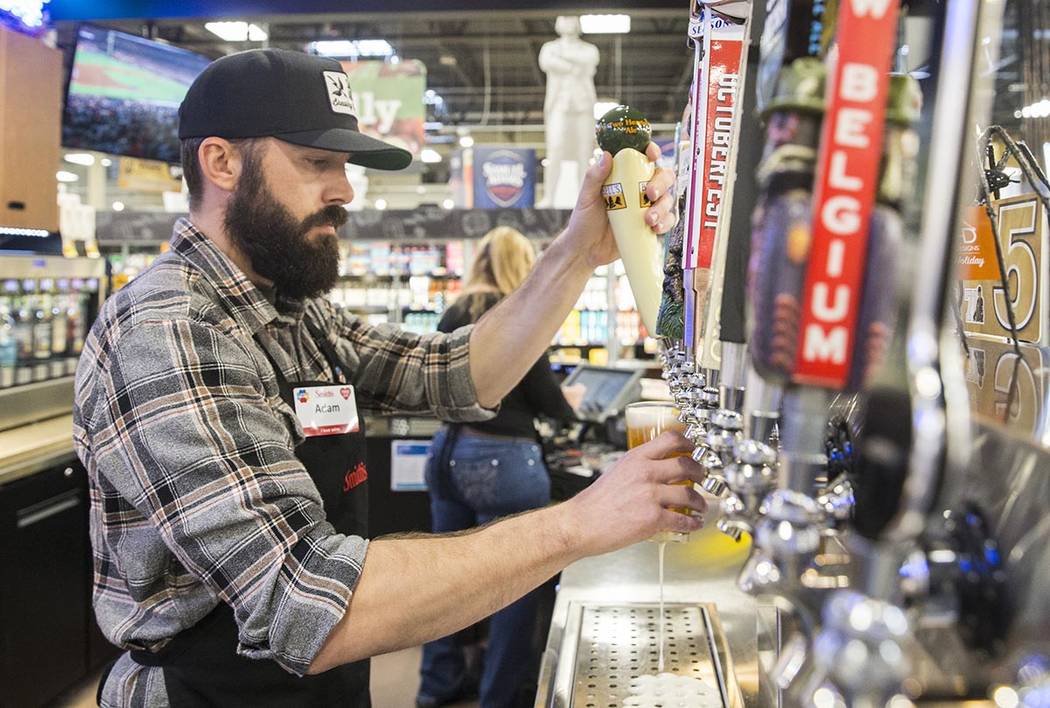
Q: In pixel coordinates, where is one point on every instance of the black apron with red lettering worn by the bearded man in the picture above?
(201, 664)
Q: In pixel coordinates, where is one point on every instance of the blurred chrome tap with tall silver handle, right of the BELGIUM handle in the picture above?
(872, 617)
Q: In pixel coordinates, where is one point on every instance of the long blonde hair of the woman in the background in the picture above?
(503, 262)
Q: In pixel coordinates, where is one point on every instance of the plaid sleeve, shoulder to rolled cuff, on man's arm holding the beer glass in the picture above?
(186, 433)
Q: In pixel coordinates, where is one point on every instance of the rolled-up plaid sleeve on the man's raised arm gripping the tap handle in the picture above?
(404, 372)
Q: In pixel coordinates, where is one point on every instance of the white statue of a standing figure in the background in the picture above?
(569, 112)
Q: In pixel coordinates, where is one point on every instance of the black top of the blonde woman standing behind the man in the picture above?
(537, 393)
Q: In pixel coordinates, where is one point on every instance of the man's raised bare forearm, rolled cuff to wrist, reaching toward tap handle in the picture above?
(513, 336)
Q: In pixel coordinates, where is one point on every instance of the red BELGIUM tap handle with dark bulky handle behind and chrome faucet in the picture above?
(825, 235)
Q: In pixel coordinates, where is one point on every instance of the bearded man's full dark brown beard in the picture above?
(277, 244)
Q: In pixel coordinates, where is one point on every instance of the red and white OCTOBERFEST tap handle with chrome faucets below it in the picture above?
(710, 382)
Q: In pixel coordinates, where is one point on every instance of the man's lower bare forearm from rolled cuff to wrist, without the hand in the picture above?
(416, 590)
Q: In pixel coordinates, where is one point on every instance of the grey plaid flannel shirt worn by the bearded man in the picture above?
(196, 494)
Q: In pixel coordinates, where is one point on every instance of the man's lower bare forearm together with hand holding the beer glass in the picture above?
(416, 590)
